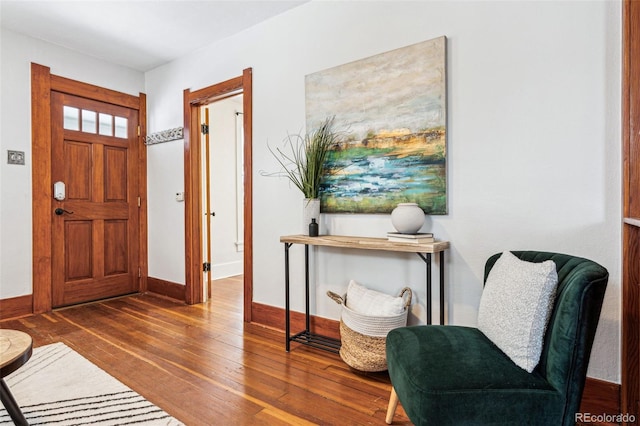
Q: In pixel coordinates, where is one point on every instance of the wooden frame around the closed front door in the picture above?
(42, 84)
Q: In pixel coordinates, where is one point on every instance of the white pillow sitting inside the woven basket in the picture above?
(370, 302)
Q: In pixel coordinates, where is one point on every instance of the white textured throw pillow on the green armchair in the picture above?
(515, 307)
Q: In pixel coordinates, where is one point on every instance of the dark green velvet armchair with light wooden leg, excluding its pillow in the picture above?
(455, 375)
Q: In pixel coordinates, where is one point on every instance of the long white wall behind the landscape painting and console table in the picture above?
(533, 148)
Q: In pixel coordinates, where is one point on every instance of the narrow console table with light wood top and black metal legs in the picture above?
(424, 251)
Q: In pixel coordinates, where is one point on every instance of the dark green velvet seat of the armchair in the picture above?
(433, 385)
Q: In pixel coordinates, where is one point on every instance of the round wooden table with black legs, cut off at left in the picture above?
(15, 350)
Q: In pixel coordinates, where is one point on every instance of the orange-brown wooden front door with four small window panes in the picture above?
(95, 228)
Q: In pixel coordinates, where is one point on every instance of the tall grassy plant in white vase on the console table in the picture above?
(304, 162)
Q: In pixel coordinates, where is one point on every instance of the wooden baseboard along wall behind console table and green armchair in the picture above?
(599, 396)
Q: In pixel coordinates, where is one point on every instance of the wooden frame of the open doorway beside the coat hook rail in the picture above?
(193, 101)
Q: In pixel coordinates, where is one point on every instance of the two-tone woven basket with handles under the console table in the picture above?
(364, 337)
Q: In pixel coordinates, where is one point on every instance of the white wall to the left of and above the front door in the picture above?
(17, 52)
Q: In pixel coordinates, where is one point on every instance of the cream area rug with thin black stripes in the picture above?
(58, 386)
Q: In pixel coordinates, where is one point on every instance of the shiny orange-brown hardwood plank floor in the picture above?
(204, 366)
